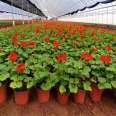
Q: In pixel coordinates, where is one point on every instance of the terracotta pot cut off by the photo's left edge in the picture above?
(3, 94)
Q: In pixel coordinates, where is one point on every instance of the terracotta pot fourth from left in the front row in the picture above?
(63, 99)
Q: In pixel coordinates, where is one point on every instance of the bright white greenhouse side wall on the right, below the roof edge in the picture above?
(101, 14)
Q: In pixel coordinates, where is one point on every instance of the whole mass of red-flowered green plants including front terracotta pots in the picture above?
(71, 61)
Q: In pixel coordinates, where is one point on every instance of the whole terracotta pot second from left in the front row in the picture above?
(21, 97)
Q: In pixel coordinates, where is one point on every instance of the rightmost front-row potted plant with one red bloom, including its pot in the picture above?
(102, 73)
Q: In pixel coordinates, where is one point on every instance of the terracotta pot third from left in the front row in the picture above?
(43, 96)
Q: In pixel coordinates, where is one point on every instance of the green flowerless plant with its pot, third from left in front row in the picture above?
(45, 79)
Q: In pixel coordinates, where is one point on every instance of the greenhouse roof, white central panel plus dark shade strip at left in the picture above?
(57, 8)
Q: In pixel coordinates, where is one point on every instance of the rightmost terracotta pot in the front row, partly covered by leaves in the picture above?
(96, 93)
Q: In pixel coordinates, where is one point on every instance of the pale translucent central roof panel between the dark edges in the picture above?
(55, 8)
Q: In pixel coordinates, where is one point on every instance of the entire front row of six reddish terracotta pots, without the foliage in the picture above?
(22, 97)
